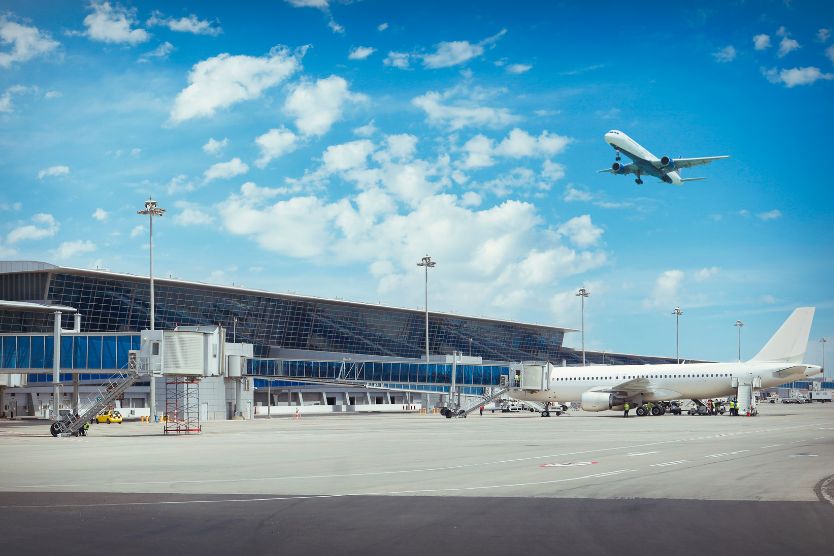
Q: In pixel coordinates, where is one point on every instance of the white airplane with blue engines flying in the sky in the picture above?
(643, 162)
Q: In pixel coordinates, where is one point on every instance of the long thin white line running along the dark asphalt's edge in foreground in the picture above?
(314, 496)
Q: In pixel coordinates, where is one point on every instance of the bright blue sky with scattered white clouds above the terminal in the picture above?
(324, 147)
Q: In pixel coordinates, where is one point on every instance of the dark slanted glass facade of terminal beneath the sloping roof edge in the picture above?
(271, 322)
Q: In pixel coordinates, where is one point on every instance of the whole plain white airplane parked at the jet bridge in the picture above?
(604, 387)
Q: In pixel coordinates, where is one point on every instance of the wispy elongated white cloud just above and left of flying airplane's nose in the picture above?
(458, 108)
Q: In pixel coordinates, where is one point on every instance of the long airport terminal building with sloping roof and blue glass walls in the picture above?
(292, 336)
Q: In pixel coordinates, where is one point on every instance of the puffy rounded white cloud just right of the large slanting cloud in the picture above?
(317, 106)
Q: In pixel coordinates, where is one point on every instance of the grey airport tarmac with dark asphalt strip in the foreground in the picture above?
(421, 484)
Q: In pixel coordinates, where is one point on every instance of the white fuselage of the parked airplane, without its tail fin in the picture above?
(665, 382)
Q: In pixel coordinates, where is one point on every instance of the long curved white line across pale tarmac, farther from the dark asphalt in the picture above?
(399, 471)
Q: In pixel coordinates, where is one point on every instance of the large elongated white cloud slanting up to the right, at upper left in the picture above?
(224, 80)
